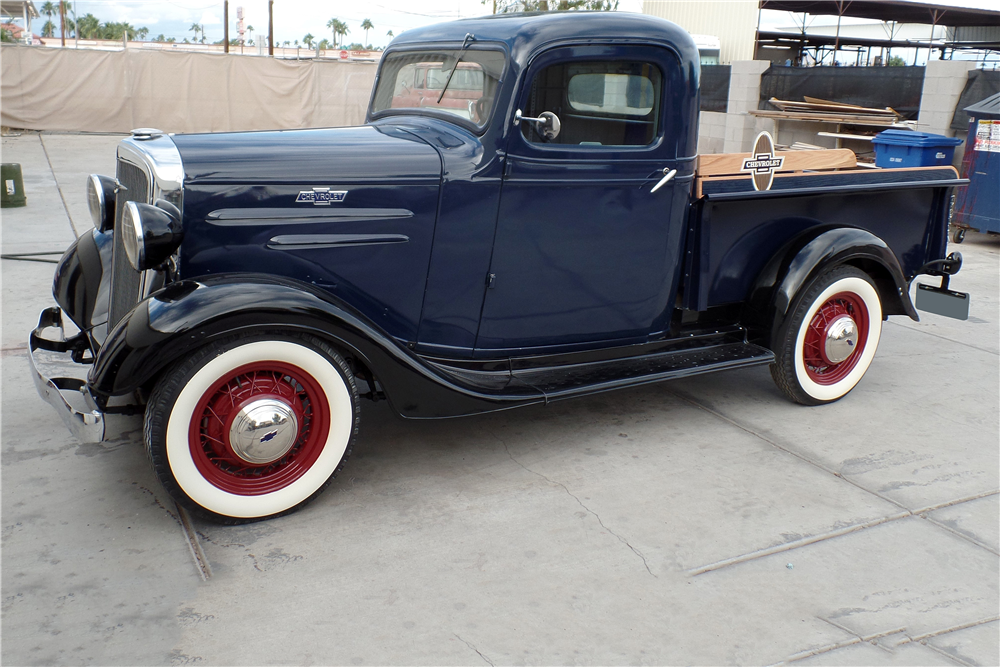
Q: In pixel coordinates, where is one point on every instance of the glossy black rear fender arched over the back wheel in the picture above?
(813, 252)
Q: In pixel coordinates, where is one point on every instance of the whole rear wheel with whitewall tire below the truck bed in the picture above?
(828, 339)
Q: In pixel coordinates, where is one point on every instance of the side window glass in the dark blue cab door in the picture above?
(599, 103)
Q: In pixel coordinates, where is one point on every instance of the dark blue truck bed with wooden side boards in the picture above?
(734, 230)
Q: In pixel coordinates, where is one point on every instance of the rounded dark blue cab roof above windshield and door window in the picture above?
(526, 33)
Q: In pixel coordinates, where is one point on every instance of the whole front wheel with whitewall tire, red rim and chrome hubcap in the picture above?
(253, 426)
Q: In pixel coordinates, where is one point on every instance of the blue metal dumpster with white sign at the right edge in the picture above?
(978, 205)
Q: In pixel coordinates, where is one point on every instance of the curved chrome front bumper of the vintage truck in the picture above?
(88, 424)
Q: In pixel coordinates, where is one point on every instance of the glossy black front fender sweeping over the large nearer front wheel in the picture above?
(187, 315)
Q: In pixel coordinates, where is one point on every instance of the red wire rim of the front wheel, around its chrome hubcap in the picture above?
(212, 420)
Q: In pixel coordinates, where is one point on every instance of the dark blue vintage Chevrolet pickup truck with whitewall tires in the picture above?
(553, 235)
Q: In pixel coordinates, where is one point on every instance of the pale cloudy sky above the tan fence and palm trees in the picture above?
(293, 19)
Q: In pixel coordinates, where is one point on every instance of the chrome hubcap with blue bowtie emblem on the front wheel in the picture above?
(263, 431)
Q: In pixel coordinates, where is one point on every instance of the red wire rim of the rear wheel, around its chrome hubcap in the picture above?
(819, 367)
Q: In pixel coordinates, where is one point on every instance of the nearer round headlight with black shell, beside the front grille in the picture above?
(150, 234)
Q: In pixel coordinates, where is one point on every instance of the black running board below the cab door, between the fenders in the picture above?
(566, 381)
